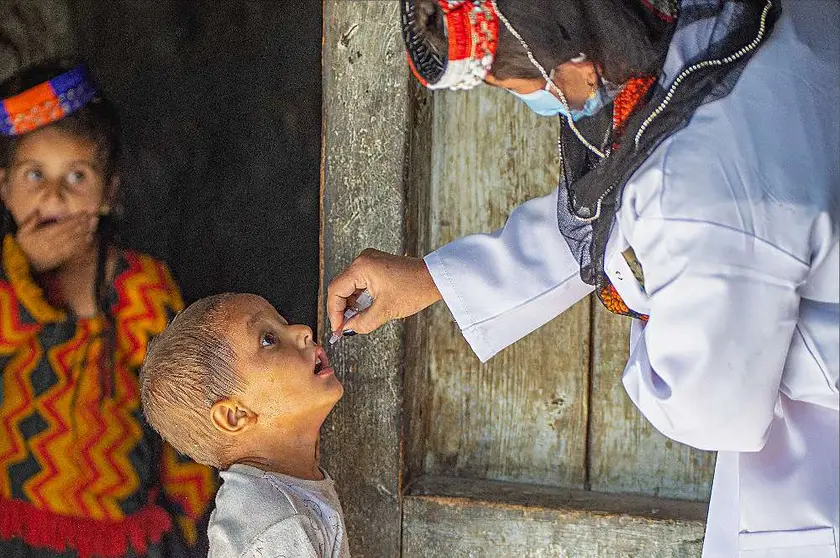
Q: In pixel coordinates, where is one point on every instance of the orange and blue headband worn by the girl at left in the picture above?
(46, 102)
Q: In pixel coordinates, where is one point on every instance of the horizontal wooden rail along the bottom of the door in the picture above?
(451, 518)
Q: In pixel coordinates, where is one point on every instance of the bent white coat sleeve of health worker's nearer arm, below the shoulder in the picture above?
(707, 367)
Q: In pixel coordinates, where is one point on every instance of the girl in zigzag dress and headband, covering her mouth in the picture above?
(81, 473)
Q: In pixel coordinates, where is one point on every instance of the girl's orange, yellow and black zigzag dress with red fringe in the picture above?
(82, 474)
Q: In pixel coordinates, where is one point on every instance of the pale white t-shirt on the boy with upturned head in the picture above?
(268, 515)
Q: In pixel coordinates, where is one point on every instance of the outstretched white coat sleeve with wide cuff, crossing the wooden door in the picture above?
(504, 285)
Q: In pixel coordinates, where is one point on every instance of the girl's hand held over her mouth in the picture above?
(49, 246)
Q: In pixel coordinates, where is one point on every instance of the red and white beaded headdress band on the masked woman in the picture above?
(472, 29)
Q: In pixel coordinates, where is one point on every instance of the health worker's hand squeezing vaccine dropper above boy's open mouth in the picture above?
(400, 286)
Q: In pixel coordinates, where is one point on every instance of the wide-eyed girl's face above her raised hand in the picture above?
(54, 173)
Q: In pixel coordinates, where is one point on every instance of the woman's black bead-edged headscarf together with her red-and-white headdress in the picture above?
(629, 40)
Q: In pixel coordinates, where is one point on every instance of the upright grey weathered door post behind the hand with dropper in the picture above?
(365, 81)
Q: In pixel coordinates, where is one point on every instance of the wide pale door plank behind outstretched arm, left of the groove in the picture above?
(521, 416)
